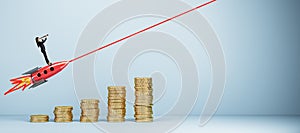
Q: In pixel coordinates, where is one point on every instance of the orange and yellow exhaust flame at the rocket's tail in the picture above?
(20, 82)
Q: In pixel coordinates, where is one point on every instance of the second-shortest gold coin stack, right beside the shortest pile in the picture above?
(63, 114)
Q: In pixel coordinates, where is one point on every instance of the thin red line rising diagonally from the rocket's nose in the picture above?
(141, 31)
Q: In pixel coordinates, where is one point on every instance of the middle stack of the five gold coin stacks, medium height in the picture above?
(89, 110)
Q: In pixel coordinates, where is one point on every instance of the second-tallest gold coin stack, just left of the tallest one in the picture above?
(116, 104)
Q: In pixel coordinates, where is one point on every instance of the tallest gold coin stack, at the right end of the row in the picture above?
(143, 101)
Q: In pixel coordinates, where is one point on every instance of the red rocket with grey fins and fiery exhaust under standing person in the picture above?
(36, 76)
